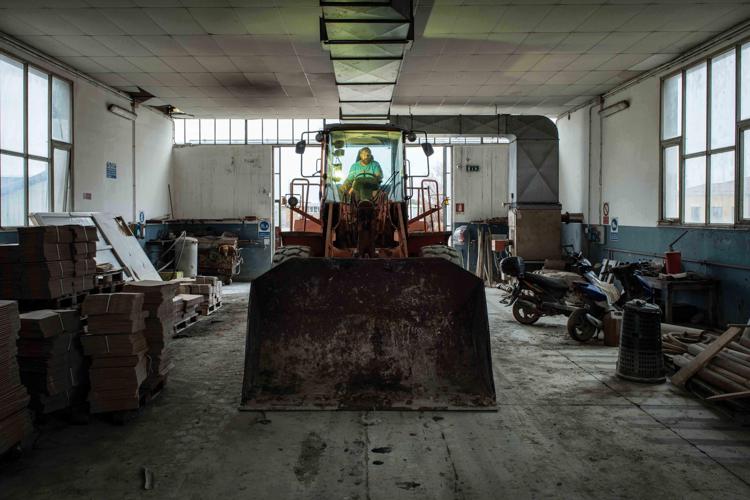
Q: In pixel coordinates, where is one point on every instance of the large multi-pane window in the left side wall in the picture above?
(35, 142)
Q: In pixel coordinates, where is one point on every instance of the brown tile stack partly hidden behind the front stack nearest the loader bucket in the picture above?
(158, 301)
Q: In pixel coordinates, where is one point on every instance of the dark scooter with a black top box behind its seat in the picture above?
(535, 295)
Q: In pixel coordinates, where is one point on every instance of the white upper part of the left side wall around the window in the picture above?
(100, 136)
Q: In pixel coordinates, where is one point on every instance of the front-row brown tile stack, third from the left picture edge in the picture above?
(118, 350)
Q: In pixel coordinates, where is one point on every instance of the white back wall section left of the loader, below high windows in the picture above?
(211, 182)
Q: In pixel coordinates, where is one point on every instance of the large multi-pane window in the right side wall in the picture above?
(699, 152)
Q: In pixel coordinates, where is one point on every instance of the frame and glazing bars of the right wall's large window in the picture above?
(708, 151)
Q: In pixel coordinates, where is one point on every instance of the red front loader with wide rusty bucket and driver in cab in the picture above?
(364, 307)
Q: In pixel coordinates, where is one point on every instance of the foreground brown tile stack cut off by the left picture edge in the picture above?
(15, 423)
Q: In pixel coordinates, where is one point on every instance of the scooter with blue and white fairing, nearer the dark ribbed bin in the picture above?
(599, 298)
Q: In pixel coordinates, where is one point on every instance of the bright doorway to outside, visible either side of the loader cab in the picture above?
(299, 175)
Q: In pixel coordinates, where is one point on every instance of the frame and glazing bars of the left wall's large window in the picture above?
(52, 144)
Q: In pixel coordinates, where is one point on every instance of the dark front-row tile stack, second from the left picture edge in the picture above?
(50, 358)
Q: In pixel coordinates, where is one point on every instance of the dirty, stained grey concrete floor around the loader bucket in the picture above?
(565, 428)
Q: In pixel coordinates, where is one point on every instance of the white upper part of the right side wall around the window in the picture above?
(629, 156)
